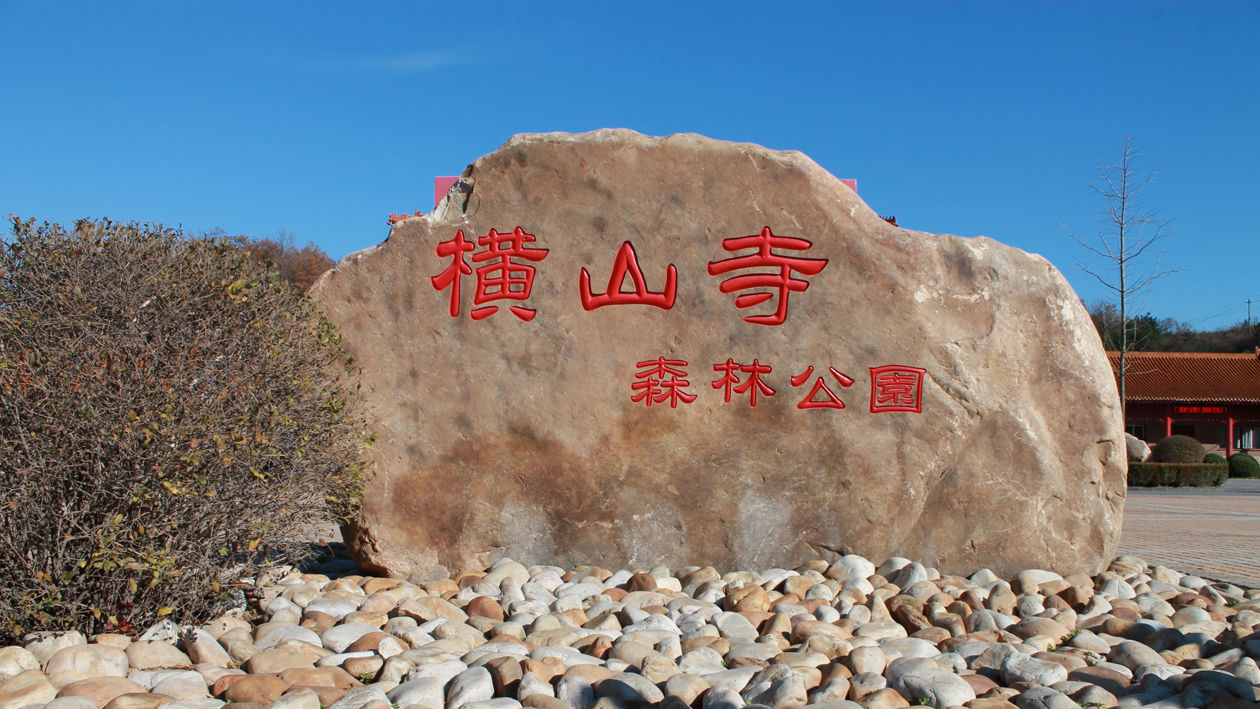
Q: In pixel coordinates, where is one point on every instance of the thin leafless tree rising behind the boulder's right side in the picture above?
(1126, 242)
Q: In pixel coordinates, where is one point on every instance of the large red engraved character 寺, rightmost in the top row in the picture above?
(781, 281)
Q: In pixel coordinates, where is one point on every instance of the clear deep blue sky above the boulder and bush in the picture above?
(321, 119)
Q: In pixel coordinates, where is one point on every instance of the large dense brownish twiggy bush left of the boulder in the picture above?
(171, 415)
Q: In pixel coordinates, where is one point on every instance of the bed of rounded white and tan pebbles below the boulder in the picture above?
(837, 635)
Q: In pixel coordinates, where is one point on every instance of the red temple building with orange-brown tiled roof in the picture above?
(1213, 397)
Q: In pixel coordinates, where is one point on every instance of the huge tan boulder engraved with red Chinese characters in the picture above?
(689, 414)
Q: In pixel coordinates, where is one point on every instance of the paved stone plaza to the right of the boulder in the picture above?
(1210, 532)
